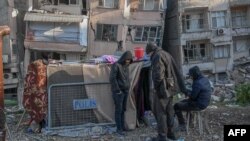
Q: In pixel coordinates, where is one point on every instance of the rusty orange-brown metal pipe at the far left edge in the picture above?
(4, 30)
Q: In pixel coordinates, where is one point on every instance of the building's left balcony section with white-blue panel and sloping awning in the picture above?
(57, 27)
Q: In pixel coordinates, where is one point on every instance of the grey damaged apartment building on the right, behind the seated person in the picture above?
(211, 34)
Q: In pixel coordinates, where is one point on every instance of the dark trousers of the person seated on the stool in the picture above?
(185, 105)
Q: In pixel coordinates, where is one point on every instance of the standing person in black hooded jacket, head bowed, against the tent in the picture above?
(119, 79)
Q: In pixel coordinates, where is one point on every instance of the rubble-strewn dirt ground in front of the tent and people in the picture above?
(217, 117)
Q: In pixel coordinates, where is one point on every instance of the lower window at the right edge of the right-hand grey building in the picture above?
(241, 45)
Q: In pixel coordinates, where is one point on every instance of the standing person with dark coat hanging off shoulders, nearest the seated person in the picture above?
(167, 81)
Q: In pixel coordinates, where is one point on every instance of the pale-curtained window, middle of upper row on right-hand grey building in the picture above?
(218, 19)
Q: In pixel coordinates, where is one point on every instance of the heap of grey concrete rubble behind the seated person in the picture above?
(224, 84)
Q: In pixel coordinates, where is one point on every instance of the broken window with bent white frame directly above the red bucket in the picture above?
(145, 34)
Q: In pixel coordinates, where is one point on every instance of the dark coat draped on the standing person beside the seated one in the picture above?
(166, 76)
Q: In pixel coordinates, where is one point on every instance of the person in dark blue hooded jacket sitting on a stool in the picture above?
(198, 99)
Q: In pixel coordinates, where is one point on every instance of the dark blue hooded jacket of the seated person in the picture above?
(201, 88)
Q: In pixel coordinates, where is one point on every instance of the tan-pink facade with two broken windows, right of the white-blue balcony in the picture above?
(130, 23)
